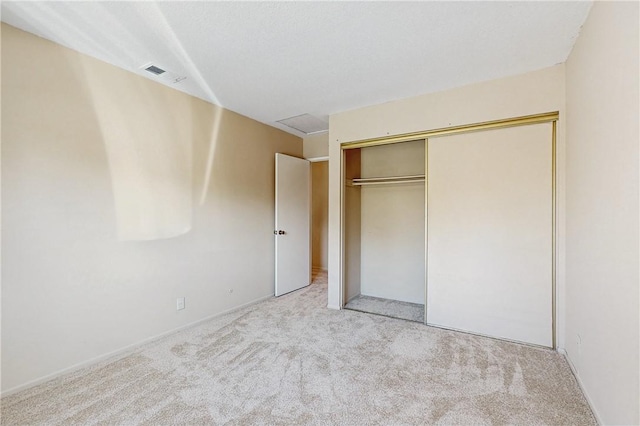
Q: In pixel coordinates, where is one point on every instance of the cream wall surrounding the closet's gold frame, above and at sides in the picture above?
(531, 93)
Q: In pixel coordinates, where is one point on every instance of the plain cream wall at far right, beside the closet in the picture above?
(602, 211)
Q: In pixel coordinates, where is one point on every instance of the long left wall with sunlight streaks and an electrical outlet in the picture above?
(73, 290)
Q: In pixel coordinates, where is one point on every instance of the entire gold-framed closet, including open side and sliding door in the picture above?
(455, 228)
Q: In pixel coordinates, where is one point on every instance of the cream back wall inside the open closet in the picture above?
(392, 224)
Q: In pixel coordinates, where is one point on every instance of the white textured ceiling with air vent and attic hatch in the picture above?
(274, 60)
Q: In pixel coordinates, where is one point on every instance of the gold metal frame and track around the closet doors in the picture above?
(455, 130)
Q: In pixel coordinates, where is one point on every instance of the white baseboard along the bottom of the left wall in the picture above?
(125, 349)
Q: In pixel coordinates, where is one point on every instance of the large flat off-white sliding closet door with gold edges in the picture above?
(490, 233)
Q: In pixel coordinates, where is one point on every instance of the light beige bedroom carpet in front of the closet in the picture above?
(291, 361)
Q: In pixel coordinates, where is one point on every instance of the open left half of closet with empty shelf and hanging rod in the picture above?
(384, 198)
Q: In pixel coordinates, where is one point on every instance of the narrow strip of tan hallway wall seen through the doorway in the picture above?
(319, 214)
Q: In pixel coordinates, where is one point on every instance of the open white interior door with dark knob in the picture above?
(293, 224)
